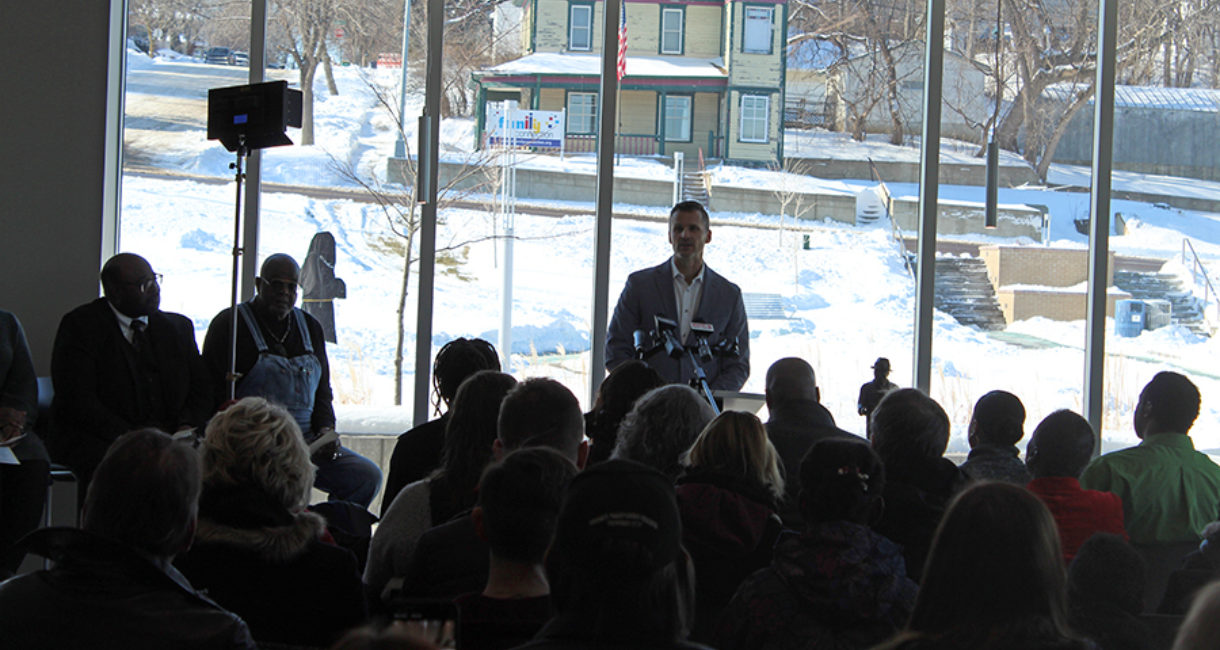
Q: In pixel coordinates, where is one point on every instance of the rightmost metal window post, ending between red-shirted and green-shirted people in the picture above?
(1100, 219)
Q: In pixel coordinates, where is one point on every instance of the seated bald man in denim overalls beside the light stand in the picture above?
(281, 355)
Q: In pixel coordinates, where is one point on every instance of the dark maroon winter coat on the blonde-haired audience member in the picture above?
(729, 527)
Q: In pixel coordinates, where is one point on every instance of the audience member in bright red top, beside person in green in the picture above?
(1058, 452)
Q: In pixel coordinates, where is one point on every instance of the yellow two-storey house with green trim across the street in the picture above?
(703, 76)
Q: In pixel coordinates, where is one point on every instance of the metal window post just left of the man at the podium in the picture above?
(607, 118)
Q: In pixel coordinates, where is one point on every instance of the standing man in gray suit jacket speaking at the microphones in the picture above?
(684, 290)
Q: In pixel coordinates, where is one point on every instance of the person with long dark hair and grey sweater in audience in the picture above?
(452, 490)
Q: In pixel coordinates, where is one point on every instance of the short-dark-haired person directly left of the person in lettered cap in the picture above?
(518, 508)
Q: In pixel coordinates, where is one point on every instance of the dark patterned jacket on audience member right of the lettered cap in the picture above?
(838, 586)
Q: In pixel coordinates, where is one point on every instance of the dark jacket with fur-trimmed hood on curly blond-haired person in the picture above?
(271, 568)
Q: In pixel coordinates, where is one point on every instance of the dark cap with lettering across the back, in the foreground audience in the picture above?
(620, 499)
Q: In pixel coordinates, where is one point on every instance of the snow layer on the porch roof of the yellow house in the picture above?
(591, 65)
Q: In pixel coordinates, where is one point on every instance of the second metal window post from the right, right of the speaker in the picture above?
(929, 193)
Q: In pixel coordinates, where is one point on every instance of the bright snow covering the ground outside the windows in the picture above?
(850, 298)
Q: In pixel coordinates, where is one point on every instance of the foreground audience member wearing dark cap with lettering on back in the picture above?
(618, 573)
